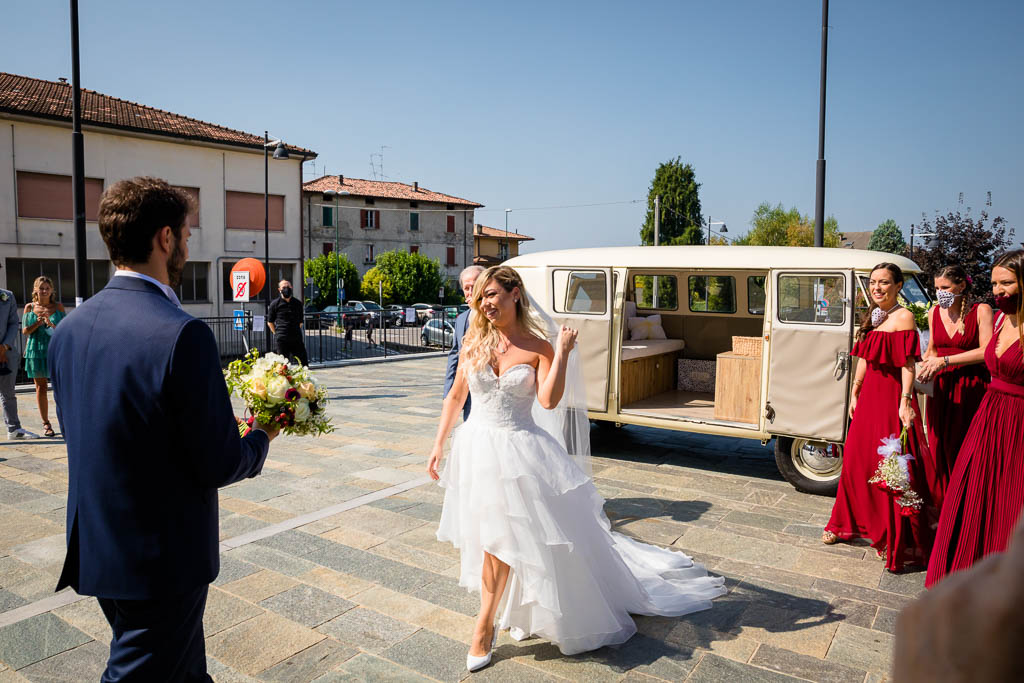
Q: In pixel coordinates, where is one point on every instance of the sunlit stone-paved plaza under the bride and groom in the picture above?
(331, 572)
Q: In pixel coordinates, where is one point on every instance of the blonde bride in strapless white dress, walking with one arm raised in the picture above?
(525, 515)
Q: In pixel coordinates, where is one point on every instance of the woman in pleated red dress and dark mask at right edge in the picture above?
(987, 492)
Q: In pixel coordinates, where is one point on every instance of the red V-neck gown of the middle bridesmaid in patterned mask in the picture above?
(959, 392)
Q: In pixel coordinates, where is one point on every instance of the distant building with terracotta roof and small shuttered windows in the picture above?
(366, 219)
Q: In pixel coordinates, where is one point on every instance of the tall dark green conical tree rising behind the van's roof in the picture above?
(681, 219)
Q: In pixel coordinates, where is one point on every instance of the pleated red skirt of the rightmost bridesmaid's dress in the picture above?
(987, 493)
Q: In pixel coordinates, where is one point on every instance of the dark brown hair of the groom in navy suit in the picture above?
(133, 211)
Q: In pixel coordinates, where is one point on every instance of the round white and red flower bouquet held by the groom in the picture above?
(276, 393)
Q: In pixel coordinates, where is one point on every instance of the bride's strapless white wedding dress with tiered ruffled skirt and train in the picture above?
(511, 490)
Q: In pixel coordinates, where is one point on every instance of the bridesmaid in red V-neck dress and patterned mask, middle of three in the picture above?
(956, 359)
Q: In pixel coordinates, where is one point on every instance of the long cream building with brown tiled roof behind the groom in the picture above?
(221, 167)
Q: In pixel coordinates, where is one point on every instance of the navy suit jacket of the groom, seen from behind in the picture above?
(151, 436)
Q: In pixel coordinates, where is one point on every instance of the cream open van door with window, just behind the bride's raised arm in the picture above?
(582, 300)
